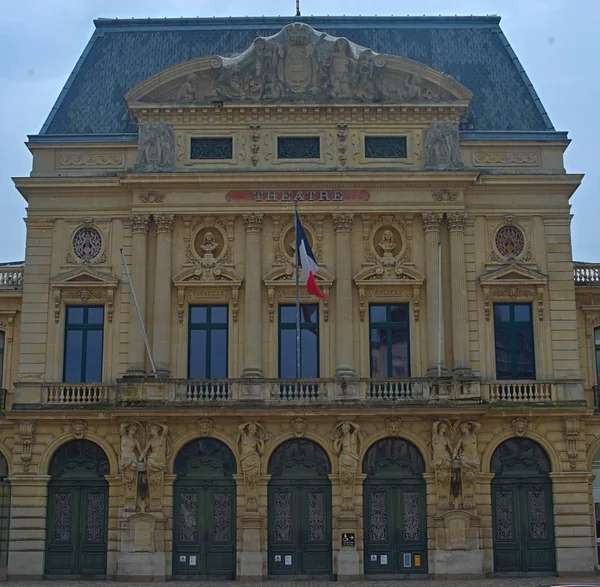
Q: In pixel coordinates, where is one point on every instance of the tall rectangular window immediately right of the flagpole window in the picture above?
(390, 348)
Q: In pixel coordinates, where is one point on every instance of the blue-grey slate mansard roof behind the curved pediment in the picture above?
(123, 53)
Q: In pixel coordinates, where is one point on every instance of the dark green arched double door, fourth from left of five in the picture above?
(394, 502)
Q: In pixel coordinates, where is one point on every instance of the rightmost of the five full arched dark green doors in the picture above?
(523, 523)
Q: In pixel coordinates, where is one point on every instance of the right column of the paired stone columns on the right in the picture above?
(460, 320)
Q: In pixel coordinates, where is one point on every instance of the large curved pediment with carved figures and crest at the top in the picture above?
(300, 64)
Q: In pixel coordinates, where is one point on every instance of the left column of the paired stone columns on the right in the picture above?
(431, 226)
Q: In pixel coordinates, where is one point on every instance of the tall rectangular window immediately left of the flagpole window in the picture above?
(207, 347)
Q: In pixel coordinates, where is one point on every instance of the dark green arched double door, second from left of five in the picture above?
(204, 510)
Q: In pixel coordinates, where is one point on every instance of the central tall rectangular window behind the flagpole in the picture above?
(309, 341)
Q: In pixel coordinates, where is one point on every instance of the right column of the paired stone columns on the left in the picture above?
(162, 294)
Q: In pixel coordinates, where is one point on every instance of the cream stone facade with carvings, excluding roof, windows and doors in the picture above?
(203, 231)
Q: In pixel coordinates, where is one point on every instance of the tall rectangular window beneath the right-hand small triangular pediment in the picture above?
(513, 332)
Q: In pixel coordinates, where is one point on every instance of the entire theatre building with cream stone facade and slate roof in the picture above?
(442, 421)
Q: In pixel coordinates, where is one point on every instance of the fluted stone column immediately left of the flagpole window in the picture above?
(252, 302)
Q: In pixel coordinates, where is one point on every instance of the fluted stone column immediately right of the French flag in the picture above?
(342, 226)
